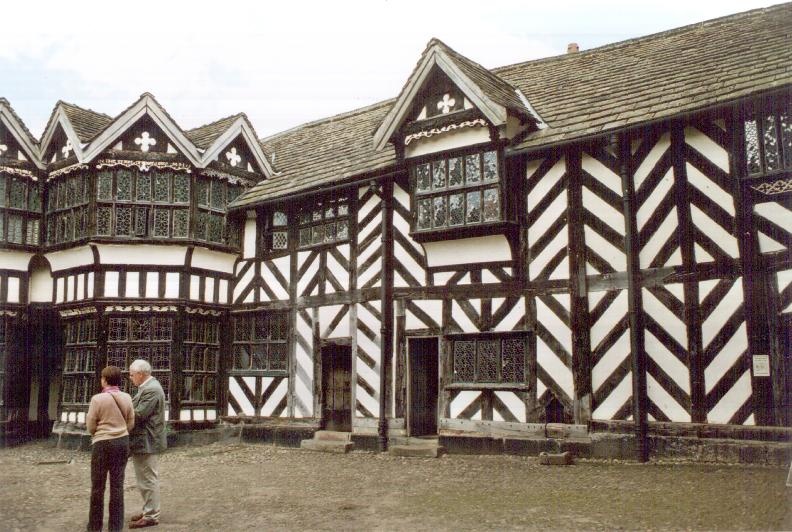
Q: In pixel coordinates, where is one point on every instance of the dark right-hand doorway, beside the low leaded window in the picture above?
(423, 379)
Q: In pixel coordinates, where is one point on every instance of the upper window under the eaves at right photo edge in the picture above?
(768, 142)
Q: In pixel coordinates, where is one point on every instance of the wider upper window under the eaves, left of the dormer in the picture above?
(324, 222)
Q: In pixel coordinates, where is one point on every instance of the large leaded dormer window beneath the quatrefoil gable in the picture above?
(457, 191)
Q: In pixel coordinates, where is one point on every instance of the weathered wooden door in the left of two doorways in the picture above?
(336, 388)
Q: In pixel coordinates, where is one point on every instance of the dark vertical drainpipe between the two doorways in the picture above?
(386, 325)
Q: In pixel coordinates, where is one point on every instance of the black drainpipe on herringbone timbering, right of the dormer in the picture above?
(634, 300)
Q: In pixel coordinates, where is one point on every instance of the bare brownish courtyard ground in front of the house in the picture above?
(229, 486)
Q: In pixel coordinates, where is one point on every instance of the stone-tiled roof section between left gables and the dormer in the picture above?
(327, 151)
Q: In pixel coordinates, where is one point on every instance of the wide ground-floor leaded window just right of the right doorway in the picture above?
(494, 358)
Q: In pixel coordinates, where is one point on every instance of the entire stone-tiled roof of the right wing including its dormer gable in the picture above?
(555, 100)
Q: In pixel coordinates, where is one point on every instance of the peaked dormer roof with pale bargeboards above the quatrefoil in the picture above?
(490, 94)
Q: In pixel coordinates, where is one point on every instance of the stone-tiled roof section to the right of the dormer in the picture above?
(658, 76)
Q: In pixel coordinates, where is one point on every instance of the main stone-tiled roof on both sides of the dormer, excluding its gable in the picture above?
(578, 95)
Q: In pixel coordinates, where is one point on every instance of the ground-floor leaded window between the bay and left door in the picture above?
(260, 342)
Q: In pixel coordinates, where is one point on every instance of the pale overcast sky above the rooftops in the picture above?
(286, 63)
